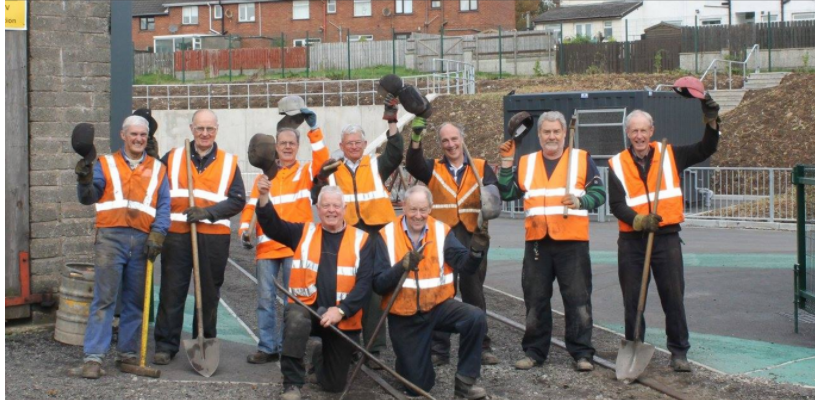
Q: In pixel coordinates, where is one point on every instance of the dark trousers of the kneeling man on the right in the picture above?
(411, 338)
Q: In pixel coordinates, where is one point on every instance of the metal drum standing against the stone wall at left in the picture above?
(75, 296)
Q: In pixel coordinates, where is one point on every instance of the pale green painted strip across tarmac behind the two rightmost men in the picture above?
(692, 260)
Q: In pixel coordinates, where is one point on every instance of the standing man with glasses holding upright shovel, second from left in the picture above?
(219, 195)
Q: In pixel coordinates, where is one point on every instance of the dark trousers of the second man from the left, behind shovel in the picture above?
(176, 273)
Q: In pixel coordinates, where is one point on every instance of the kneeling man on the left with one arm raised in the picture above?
(332, 269)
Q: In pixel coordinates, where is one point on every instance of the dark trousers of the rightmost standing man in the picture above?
(668, 272)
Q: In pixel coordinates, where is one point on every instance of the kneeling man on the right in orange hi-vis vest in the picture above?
(429, 250)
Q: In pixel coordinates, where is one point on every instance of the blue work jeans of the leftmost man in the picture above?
(120, 259)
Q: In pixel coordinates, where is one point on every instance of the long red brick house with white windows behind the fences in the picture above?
(161, 25)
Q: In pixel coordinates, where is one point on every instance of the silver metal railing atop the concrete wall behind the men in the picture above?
(458, 78)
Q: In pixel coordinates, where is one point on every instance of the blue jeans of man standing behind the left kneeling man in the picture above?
(271, 336)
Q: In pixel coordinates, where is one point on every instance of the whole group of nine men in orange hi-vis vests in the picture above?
(348, 264)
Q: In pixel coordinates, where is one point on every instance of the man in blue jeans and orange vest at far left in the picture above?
(132, 198)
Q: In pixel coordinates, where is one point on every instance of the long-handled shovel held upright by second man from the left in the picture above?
(204, 354)
